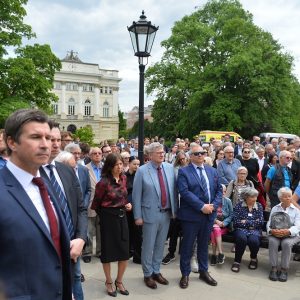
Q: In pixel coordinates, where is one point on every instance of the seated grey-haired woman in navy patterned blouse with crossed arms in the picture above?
(248, 222)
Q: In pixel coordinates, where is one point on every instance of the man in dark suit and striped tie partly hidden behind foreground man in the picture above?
(67, 188)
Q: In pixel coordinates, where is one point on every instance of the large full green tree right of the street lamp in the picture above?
(220, 71)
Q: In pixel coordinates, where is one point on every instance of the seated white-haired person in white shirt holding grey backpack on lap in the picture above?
(283, 228)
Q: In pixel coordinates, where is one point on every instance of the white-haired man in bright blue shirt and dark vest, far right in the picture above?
(278, 176)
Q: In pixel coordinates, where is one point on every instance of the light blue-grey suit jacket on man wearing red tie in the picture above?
(146, 195)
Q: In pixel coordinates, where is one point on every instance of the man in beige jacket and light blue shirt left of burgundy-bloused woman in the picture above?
(95, 169)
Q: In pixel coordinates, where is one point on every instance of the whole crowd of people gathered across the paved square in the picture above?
(59, 196)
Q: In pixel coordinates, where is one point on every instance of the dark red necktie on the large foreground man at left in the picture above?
(50, 213)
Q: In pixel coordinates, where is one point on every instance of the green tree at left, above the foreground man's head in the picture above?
(27, 79)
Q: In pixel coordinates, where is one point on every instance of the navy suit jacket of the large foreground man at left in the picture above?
(30, 267)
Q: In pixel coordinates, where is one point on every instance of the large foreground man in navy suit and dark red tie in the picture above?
(35, 247)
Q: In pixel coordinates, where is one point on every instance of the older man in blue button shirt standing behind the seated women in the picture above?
(227, 168)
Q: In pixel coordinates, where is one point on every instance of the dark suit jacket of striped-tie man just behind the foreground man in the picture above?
(74, 197)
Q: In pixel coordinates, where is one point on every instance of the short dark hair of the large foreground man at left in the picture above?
(15, 122)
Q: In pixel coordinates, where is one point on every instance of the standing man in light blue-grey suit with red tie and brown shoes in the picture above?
(154, 203)
